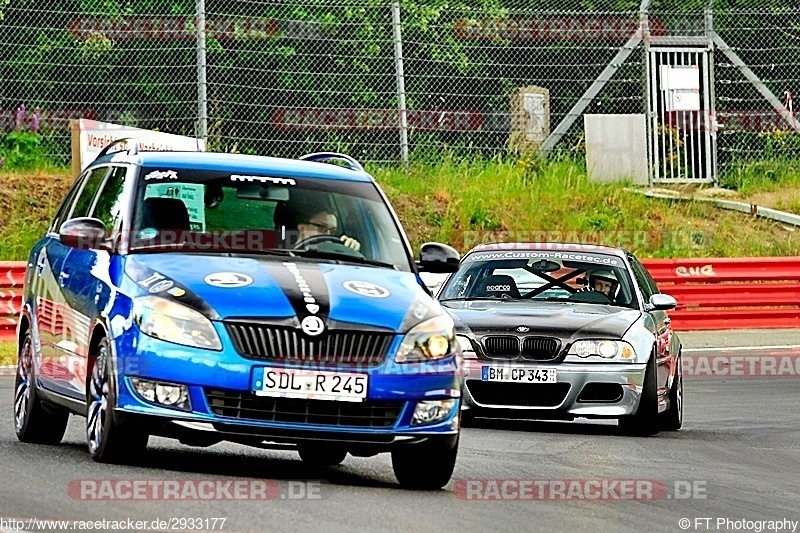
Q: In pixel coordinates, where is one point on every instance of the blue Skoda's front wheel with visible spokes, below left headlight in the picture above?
(108, 440)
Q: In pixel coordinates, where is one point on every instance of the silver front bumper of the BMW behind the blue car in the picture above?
(602, 390)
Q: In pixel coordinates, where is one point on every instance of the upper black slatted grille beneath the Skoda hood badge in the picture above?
(281, 343)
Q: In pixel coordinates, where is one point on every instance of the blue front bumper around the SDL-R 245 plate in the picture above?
(284, 422)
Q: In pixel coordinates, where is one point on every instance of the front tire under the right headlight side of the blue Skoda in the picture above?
(427, 468)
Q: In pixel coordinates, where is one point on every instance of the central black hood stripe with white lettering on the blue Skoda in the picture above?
(304, 286)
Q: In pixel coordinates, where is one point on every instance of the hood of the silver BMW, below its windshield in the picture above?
(567, 322)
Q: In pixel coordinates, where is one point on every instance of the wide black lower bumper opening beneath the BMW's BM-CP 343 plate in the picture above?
(518, 394)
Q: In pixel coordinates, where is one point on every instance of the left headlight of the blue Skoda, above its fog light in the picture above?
(173, 322)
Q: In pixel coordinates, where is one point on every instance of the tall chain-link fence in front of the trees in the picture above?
(379, 79)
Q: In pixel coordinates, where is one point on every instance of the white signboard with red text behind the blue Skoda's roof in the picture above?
(89, 137)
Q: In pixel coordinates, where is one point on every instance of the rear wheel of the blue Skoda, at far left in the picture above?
(33, 422)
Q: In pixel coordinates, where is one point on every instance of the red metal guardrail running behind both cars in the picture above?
(732, 293)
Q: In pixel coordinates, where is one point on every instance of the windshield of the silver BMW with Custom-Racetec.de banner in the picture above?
(542, 275)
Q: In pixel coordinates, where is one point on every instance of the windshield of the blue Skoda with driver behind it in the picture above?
(218, 212)
